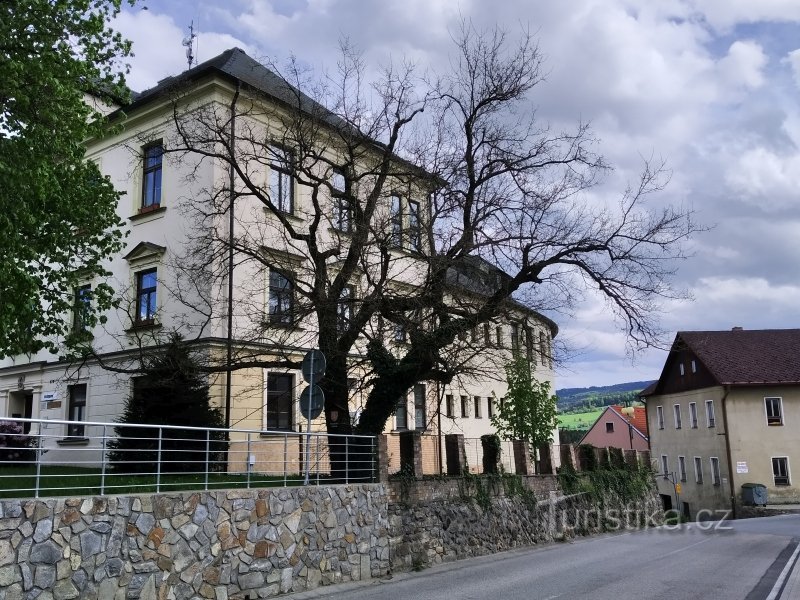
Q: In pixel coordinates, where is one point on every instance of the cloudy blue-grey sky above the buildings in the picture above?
(709, 86)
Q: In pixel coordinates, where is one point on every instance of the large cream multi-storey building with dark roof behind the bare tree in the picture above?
(161, 189)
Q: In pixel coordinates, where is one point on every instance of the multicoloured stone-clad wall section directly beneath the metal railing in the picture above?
(223, 545)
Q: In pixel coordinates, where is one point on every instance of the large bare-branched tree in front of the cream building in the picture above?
(425, 208)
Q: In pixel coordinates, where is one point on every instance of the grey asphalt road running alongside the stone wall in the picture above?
(736, 560)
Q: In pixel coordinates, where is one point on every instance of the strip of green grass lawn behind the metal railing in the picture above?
(20, 481)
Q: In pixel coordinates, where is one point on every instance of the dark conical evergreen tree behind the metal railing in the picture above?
(172, 392)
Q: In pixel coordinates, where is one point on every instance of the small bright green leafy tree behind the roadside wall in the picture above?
(529, 410)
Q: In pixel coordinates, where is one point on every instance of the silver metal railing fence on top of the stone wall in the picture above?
(55, 458)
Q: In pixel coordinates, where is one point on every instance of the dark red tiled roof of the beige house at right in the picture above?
(741, 356)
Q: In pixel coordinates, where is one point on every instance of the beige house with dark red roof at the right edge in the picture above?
(725, 412)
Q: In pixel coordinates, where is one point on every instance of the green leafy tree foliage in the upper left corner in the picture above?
(57, 213)
